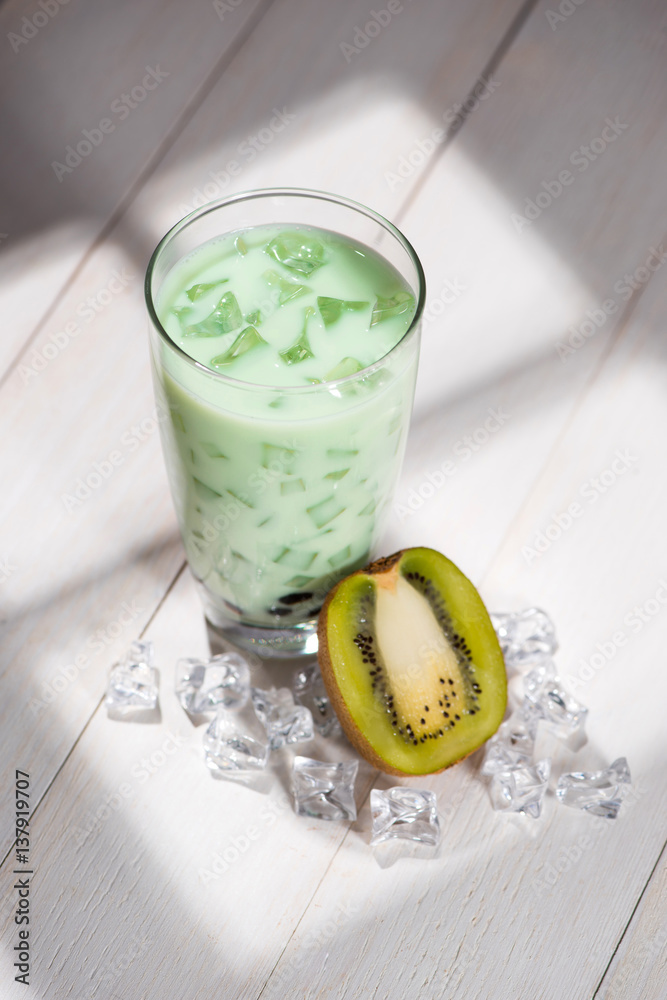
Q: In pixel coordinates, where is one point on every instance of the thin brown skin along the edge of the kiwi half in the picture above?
(379, 566)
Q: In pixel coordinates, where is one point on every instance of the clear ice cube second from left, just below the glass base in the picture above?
(202, 685)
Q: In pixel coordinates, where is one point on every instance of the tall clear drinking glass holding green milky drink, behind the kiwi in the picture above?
(280, 489)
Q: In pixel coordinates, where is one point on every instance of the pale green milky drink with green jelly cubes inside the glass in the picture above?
(285, 441)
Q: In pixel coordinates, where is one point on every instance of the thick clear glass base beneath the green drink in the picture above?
(286, 641)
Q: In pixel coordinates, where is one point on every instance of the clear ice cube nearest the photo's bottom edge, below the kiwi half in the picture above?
(405, 814)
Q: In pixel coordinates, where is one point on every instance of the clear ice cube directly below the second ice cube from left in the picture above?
(235, 741)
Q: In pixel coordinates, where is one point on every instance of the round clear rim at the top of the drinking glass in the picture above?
(212, 206)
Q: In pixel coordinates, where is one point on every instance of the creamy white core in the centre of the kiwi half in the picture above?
(415, 654)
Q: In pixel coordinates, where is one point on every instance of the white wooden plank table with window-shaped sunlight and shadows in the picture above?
(551, 315)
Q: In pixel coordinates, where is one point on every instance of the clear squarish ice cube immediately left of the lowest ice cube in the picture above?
(325, 791)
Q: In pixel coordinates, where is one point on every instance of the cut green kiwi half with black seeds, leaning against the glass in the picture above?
(411, 663)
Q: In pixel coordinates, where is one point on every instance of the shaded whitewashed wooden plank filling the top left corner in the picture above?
(52, 215)
